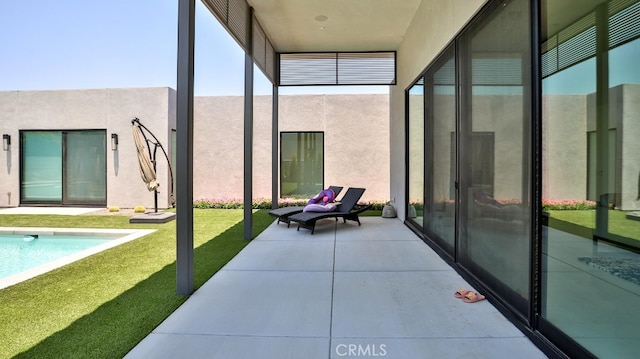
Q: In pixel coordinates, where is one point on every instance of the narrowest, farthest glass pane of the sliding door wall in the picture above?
(416, 154)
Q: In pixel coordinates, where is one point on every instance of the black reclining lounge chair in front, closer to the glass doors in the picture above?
(348, 209)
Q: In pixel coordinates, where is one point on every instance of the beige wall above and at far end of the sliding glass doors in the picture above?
(434, 25)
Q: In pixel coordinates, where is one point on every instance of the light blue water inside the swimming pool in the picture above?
(19, 252)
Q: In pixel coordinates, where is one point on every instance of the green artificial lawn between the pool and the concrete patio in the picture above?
(103, 305)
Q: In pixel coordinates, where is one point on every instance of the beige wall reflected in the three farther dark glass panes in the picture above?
(508, 153)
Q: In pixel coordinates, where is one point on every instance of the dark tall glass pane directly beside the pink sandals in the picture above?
(495, 152)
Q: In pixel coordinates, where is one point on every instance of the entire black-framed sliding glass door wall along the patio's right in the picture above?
(572, 273)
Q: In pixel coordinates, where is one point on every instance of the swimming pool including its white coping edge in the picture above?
(28, 252)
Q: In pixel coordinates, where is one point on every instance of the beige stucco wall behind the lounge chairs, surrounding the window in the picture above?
(355, 142)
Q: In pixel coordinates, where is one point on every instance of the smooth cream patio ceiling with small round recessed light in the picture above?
(350, 25)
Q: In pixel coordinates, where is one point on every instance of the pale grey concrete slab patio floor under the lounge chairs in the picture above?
(346, 291)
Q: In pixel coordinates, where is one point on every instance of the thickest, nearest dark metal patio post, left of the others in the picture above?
(184, 150)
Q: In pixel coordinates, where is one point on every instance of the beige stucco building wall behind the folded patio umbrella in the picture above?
(108, 109)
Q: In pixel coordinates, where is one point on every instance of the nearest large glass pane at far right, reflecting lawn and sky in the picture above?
(591, 179)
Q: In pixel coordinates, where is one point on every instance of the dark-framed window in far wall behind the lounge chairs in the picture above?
(301, 163)
